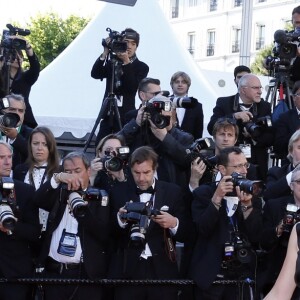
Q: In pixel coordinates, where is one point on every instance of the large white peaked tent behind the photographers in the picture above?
(66, 99)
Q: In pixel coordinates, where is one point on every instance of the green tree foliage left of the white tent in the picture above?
(51, 35)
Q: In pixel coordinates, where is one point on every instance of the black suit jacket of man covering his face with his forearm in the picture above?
(93, 229)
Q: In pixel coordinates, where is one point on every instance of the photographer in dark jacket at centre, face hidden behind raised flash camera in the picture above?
(168, 141)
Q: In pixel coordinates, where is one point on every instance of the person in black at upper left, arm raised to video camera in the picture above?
(20, 81)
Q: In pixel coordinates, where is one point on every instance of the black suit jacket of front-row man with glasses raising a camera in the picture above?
(212, 226)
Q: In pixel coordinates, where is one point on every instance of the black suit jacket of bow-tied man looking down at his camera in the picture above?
(126, 256)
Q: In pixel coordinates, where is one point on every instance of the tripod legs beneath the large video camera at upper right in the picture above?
(279, 83)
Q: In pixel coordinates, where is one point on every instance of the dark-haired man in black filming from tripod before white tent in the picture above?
(129, 70)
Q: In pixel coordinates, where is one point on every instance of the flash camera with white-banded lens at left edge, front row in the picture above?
(7, 203)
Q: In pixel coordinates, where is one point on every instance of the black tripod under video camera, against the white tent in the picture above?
(109, 106)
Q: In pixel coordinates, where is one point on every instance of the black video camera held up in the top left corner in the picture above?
(16, 43)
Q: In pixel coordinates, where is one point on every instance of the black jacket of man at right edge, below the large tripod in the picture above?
(287, 123)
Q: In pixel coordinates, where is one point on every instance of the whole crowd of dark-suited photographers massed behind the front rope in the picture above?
(158, 201)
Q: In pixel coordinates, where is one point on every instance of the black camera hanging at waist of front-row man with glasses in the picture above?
(237, 251)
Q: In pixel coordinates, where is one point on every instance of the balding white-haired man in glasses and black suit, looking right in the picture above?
(247, 109)
